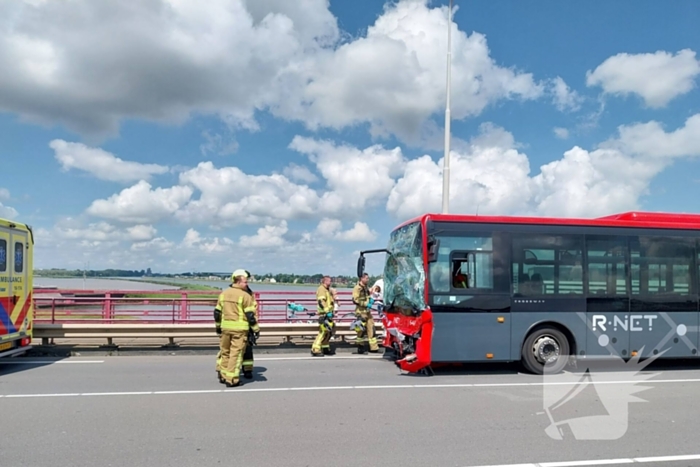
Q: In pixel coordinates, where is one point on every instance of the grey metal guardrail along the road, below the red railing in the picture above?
(110, 331)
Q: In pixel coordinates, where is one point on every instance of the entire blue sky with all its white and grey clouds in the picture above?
(285, 136)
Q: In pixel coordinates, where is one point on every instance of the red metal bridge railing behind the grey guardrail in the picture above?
(185, 307)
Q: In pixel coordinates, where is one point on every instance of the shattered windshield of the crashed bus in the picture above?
(404, 274)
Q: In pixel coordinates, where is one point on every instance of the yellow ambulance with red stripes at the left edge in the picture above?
(16, 271)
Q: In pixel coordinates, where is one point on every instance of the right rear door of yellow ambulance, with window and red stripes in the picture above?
(19, 275)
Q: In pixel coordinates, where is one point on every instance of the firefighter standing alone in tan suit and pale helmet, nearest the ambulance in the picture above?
(237, 312)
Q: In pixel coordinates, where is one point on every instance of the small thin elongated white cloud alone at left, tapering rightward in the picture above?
(102, 164)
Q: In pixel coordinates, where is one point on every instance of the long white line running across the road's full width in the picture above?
(337, 388)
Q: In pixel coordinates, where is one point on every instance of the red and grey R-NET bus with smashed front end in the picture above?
(541, 291)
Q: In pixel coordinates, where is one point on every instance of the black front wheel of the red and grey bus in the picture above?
(546, 349)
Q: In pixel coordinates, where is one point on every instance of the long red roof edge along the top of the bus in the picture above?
(632, 219)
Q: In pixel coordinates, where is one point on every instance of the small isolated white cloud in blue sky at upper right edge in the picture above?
(657, 78)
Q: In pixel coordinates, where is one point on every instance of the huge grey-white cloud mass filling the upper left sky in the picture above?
(173, 59)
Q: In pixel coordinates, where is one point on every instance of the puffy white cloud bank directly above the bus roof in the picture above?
(496, 179)
